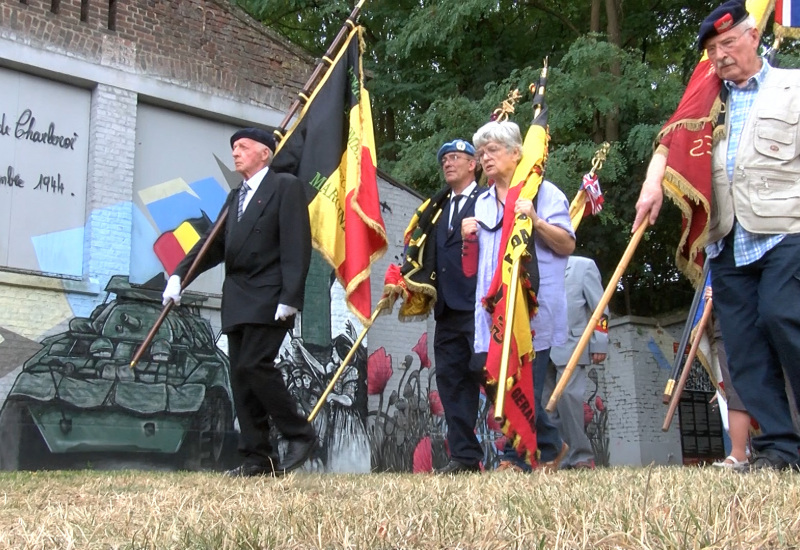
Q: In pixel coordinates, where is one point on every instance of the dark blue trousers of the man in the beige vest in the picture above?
(759, 313)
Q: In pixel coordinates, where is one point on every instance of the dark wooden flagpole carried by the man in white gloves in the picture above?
(302, 99)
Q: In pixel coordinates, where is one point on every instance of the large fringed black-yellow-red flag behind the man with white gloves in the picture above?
(331, 147)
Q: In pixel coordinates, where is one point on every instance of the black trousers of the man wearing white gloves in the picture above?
(260, 394)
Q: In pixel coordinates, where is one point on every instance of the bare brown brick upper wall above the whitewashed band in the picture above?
(207, 45)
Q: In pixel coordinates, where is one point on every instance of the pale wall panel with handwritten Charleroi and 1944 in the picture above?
(44, 149)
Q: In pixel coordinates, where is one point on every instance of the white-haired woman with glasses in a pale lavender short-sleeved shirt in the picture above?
(499, 149)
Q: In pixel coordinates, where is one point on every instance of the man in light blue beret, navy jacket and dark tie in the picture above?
(459, 386)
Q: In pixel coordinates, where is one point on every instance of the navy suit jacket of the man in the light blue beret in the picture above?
(452, 286)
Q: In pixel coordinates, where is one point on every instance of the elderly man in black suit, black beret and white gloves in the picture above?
(266, 247)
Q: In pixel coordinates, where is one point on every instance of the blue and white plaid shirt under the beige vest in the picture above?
(747, 247)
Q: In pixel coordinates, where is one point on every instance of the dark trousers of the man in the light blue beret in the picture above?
(459, 387)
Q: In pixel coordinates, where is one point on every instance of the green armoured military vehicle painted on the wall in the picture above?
(77, 399)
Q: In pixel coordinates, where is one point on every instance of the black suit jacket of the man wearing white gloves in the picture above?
(267, 253)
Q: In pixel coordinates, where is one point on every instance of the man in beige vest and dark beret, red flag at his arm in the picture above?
(750, 194)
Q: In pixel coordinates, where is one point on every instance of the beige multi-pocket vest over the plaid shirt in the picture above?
(764, 195)
